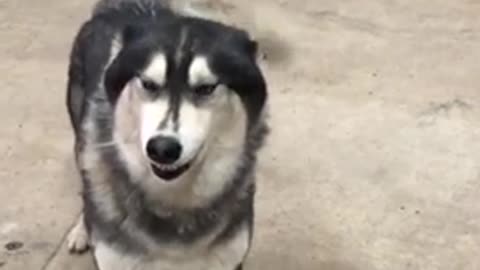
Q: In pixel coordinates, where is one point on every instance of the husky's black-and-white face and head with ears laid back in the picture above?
(184, 93)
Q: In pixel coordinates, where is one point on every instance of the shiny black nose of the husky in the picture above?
(164, 150)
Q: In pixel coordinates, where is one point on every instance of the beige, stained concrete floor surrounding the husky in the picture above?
(373, 160)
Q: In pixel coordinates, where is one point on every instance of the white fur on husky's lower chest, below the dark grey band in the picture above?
(225, 256)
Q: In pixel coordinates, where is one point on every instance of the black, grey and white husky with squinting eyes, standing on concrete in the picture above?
(168, 115)
